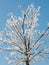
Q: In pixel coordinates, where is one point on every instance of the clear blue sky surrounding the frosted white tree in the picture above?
(7, 6)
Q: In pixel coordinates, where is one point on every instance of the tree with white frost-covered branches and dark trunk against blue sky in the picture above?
(26, 42)
